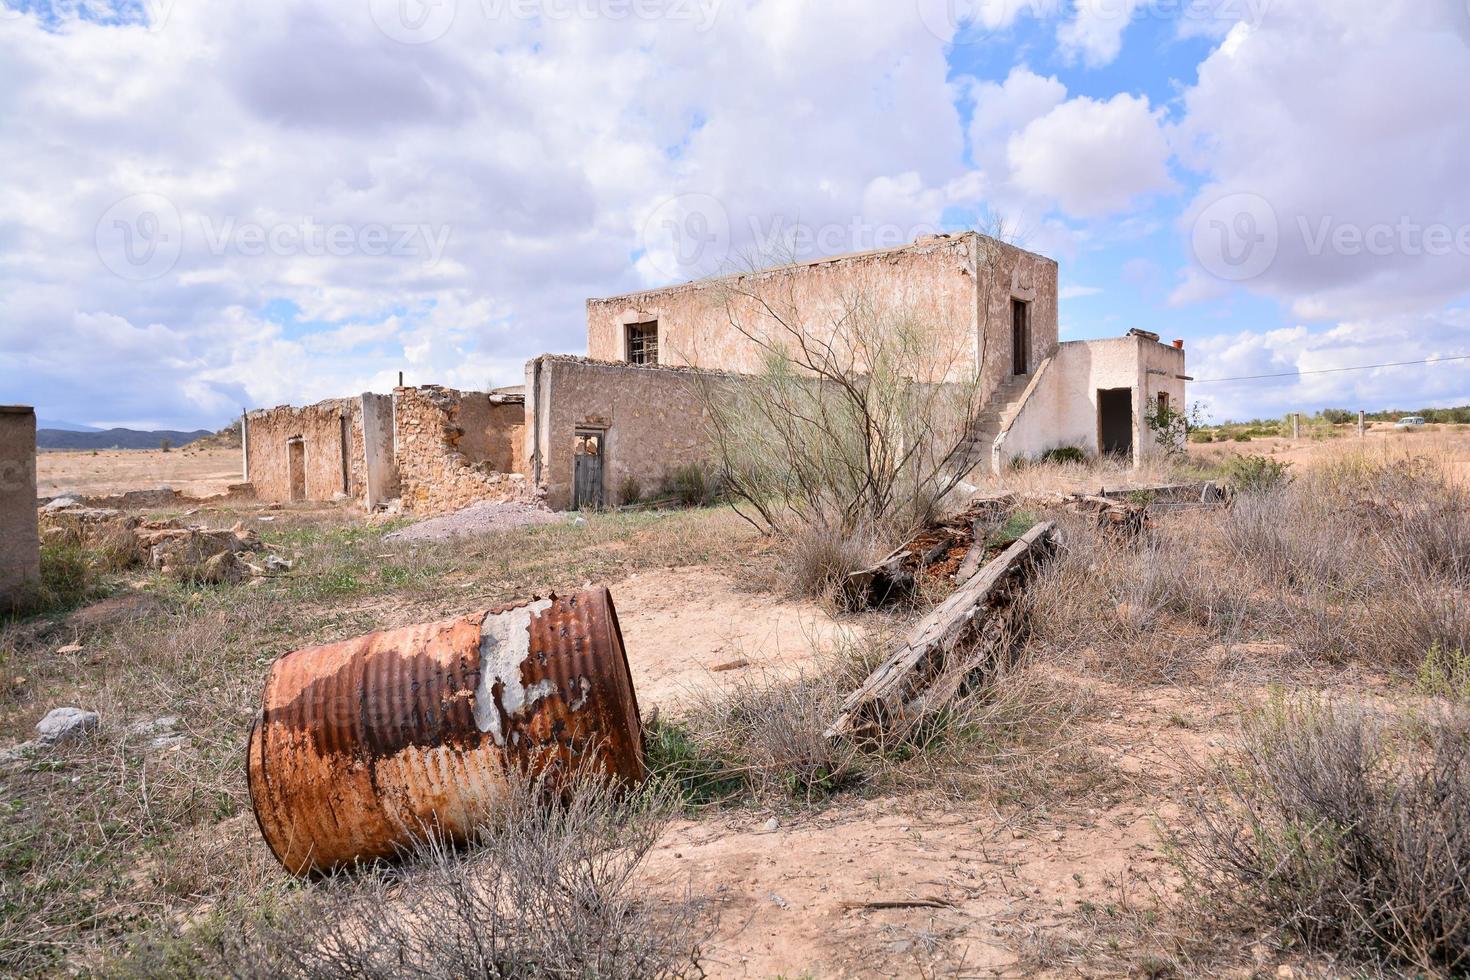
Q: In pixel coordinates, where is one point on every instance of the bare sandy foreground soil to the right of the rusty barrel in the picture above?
(992, 894)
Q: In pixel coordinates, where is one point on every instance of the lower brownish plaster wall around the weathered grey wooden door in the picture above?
(652, 417)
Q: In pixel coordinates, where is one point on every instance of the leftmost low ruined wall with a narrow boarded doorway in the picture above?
(321, 428)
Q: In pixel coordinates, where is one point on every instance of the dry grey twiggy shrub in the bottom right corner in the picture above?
(1341, 831)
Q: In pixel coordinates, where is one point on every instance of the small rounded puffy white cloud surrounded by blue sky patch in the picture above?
(1093, 158)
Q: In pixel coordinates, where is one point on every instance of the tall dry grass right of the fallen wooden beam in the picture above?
(1359, 561)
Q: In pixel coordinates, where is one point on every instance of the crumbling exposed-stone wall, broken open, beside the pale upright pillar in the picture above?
(436, 472)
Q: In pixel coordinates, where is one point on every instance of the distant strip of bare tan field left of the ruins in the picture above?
(192, 472)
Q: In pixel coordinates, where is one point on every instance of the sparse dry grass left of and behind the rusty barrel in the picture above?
(112, 840)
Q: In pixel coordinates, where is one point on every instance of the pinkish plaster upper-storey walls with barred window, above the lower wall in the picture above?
(949, 286)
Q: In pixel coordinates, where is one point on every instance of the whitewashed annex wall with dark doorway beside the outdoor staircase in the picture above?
(1064, 409)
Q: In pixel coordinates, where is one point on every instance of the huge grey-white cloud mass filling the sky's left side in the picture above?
(440, 208)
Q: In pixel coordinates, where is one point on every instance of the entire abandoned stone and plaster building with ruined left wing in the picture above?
(583, 431)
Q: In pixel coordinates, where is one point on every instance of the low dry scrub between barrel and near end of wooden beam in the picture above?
(764, 740)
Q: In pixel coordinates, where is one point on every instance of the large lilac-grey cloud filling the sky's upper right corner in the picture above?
(1347, 118)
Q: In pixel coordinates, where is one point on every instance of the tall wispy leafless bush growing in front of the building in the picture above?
(852, 430)
